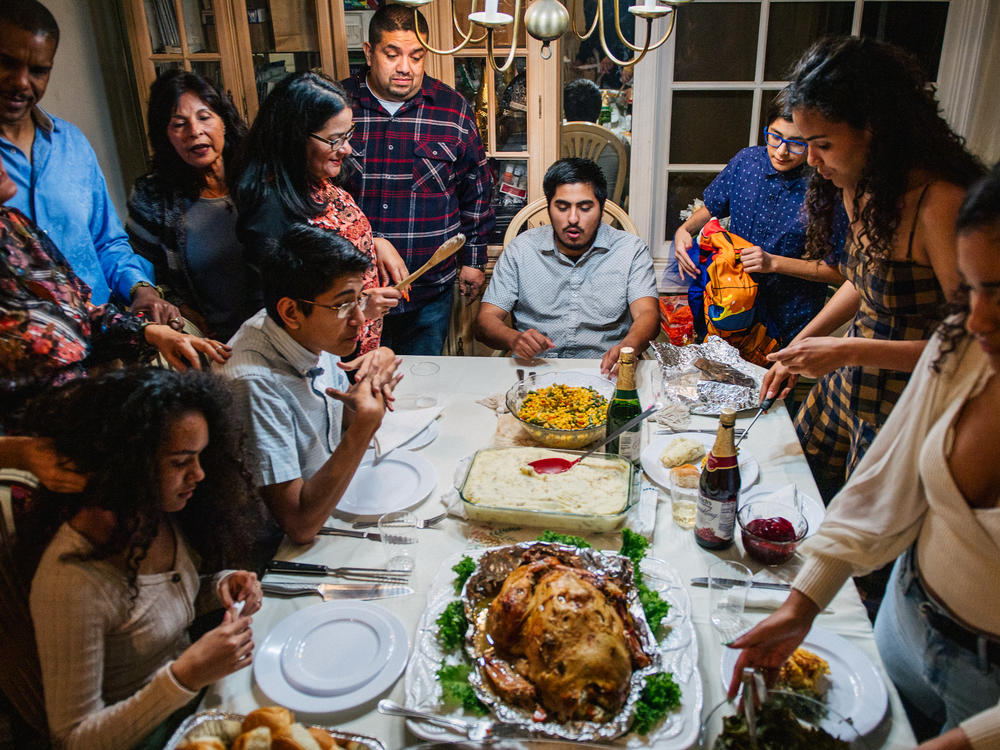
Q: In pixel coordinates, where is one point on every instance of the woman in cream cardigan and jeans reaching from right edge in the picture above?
(926, 492)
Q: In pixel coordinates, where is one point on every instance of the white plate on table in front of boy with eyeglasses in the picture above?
(400, 480)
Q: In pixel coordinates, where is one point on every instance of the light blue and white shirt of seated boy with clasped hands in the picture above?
(281, 387)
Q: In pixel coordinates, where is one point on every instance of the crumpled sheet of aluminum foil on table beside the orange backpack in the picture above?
(684, 383)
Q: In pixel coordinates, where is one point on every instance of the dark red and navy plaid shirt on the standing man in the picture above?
(421, 177)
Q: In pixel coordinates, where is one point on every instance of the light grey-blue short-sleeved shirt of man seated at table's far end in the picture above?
(582, 306)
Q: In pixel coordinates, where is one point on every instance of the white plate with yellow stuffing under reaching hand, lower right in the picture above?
(856, 690)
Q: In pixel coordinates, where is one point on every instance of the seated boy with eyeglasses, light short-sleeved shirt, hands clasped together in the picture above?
(309, 424)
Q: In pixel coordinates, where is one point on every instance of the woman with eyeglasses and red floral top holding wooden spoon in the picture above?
(290, 167)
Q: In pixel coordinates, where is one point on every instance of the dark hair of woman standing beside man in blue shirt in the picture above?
(164, 94)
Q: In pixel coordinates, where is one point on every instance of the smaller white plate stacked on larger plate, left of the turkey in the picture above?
(364, 644)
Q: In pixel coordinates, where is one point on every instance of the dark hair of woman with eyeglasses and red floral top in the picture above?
(272, 159)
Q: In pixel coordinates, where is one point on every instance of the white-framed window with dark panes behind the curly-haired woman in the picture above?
(708, 88)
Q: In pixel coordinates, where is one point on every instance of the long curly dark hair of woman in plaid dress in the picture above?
(878, 87)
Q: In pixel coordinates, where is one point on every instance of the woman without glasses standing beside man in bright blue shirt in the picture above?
(181, 216)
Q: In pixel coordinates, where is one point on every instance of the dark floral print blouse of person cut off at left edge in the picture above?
(50, 332)
